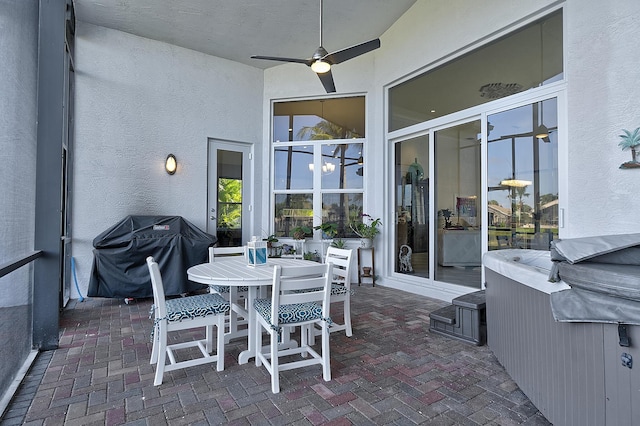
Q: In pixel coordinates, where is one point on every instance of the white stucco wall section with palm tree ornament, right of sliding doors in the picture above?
(603, 71)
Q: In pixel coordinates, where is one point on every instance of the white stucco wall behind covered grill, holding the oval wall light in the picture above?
(137, 100)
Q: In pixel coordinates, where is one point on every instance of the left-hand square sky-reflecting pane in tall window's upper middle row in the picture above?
(291, 167)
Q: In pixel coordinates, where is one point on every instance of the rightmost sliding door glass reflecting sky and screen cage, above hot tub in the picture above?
(522, 174)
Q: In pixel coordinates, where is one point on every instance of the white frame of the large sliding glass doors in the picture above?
(476, 113)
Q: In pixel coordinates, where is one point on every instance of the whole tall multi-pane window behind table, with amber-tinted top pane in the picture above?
(318, 164)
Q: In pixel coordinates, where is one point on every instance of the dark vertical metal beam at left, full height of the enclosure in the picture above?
(47, 269)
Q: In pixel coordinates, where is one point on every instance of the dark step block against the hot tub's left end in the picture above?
(465, 319)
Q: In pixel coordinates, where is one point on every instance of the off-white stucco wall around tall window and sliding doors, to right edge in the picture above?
(601, 69)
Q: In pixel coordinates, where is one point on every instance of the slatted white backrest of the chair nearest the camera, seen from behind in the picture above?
(314, 280)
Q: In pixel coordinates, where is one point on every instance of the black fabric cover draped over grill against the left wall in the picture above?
(119, 259)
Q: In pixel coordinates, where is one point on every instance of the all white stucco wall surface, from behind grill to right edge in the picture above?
(138, 100)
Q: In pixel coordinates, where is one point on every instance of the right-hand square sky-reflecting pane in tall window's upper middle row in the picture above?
(342, 166)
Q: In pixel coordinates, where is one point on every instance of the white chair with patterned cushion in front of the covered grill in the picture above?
(205, 310)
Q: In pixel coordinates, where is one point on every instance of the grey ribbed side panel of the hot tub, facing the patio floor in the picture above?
(559, 366)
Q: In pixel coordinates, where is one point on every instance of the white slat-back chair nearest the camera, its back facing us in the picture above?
(289, 309)
